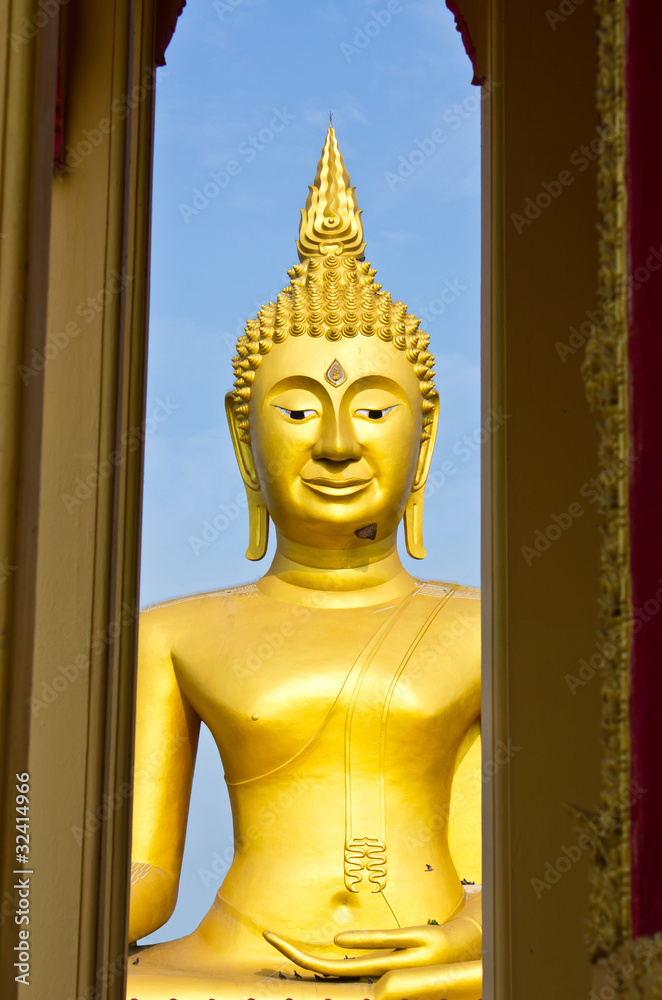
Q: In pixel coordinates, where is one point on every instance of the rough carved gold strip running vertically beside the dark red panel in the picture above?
(605, 373)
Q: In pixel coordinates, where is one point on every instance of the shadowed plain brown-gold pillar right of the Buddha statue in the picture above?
(543, 278)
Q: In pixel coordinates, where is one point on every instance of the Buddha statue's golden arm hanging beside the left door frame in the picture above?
(166, 740)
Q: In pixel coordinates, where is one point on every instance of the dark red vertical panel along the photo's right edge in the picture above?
(644, 155)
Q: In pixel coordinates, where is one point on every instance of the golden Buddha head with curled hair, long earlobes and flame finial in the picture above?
(334, 411)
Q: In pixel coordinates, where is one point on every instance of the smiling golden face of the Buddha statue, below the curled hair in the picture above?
(336, 450)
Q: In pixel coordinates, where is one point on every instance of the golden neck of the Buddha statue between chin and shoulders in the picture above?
(336, 578)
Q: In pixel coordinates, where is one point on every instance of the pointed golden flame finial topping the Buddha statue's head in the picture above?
(331, 221)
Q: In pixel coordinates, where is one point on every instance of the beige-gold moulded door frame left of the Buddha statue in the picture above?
(69, 617)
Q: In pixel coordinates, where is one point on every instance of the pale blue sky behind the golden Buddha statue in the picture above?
(241, 116)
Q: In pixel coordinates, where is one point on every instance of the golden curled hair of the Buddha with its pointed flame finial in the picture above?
(332, 294)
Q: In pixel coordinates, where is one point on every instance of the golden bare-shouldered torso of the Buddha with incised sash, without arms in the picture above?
(331, 724)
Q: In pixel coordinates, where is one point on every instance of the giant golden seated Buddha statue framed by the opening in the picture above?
(343, 695)
